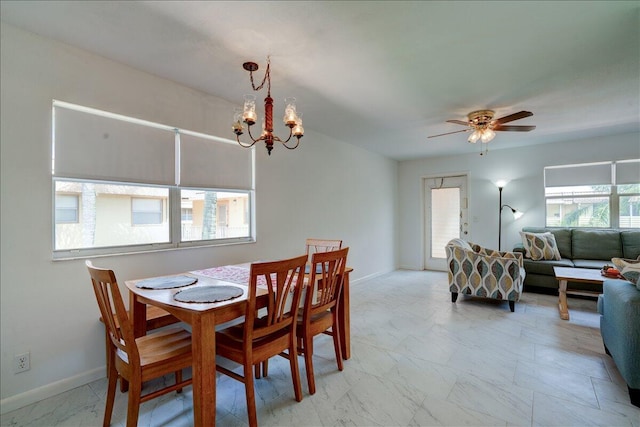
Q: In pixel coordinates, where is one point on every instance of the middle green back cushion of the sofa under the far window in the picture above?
(596, 244)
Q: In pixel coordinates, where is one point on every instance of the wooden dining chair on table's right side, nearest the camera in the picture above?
(263, 335)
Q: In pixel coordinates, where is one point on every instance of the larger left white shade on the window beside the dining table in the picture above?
(91, 146)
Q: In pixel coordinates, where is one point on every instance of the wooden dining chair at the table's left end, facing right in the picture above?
(136, 360)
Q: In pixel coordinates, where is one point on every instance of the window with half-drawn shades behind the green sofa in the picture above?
(600, 195)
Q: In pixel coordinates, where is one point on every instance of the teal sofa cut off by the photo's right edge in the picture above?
(619, 308)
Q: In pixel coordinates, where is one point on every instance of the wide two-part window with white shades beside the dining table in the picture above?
(141, 183)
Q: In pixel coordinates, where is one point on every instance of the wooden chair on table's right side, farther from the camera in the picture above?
(320, 308)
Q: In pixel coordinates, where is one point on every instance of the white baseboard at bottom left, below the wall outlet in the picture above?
(37, 394)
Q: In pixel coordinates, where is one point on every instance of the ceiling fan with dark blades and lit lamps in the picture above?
(483, 125)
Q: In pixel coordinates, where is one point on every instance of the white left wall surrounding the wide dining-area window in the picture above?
(324, 189)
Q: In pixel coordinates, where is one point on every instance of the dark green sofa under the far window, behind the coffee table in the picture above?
(582, 248)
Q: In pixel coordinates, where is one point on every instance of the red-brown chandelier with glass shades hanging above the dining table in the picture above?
(247, 115)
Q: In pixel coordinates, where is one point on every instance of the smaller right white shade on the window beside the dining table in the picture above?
(206, 163)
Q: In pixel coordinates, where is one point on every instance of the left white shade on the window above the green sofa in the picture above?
(586, 174)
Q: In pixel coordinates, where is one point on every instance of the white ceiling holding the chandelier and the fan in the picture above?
(382, 75)
